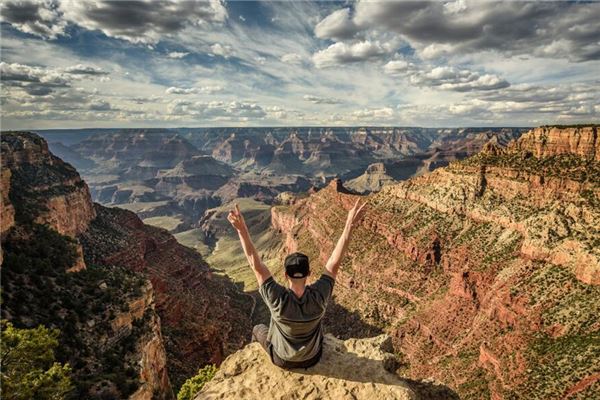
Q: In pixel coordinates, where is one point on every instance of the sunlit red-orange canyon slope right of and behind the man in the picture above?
(486, 273)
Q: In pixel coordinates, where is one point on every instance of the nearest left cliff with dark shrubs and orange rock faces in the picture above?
(110, 333)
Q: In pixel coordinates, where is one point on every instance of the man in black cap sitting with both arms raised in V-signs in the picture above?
(295, 336)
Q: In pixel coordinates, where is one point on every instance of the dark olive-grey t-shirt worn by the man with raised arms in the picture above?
(296, 331)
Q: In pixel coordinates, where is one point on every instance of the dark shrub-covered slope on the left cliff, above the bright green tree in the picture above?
(37, 290)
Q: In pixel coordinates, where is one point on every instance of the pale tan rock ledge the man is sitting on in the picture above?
(353, 369)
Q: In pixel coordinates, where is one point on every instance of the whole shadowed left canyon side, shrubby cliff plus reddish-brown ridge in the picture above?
(110, 313)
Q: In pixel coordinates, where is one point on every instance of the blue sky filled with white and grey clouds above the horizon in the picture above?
(168, 63)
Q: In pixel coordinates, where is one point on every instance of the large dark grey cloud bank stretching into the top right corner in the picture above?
(435, 28)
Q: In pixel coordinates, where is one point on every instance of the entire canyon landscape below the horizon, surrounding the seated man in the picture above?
(477, 261)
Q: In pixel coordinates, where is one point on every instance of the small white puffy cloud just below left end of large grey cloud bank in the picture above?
(345, 53)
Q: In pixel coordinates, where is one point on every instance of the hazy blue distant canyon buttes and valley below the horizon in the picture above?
(171, 177)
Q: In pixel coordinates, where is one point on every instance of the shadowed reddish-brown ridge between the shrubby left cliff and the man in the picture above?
(204, 315)
